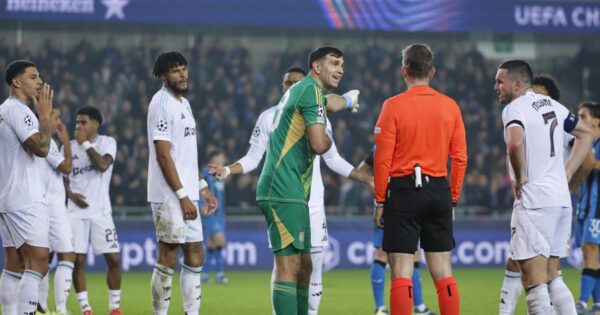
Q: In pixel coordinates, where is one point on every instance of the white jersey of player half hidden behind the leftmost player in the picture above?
(55, 189)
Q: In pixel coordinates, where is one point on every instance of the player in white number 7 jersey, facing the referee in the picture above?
(540, 223)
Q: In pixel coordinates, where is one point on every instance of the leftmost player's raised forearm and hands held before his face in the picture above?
(39, 143)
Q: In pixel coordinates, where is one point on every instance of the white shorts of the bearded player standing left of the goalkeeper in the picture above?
(170, 226)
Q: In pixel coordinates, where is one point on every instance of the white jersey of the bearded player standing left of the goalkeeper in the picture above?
(171, 120)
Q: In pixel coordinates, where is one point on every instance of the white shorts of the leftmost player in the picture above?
(27, 226)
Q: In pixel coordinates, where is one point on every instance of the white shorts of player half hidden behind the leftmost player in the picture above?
(61, 233)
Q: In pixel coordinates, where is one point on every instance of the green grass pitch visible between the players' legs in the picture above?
(345, 292)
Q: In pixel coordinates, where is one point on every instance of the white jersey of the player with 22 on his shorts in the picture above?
(85, 179)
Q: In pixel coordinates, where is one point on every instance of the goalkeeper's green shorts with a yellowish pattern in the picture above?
(289, 227)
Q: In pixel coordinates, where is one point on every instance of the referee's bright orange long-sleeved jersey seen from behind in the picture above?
(420, 126)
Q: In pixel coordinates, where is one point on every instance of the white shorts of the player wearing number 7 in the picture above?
(544, 231)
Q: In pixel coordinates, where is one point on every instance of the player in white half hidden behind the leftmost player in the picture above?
(52, 169)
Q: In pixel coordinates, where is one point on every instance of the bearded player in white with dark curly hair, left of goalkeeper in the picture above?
(174, 187)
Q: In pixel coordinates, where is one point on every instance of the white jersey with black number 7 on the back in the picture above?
(543, 121)
